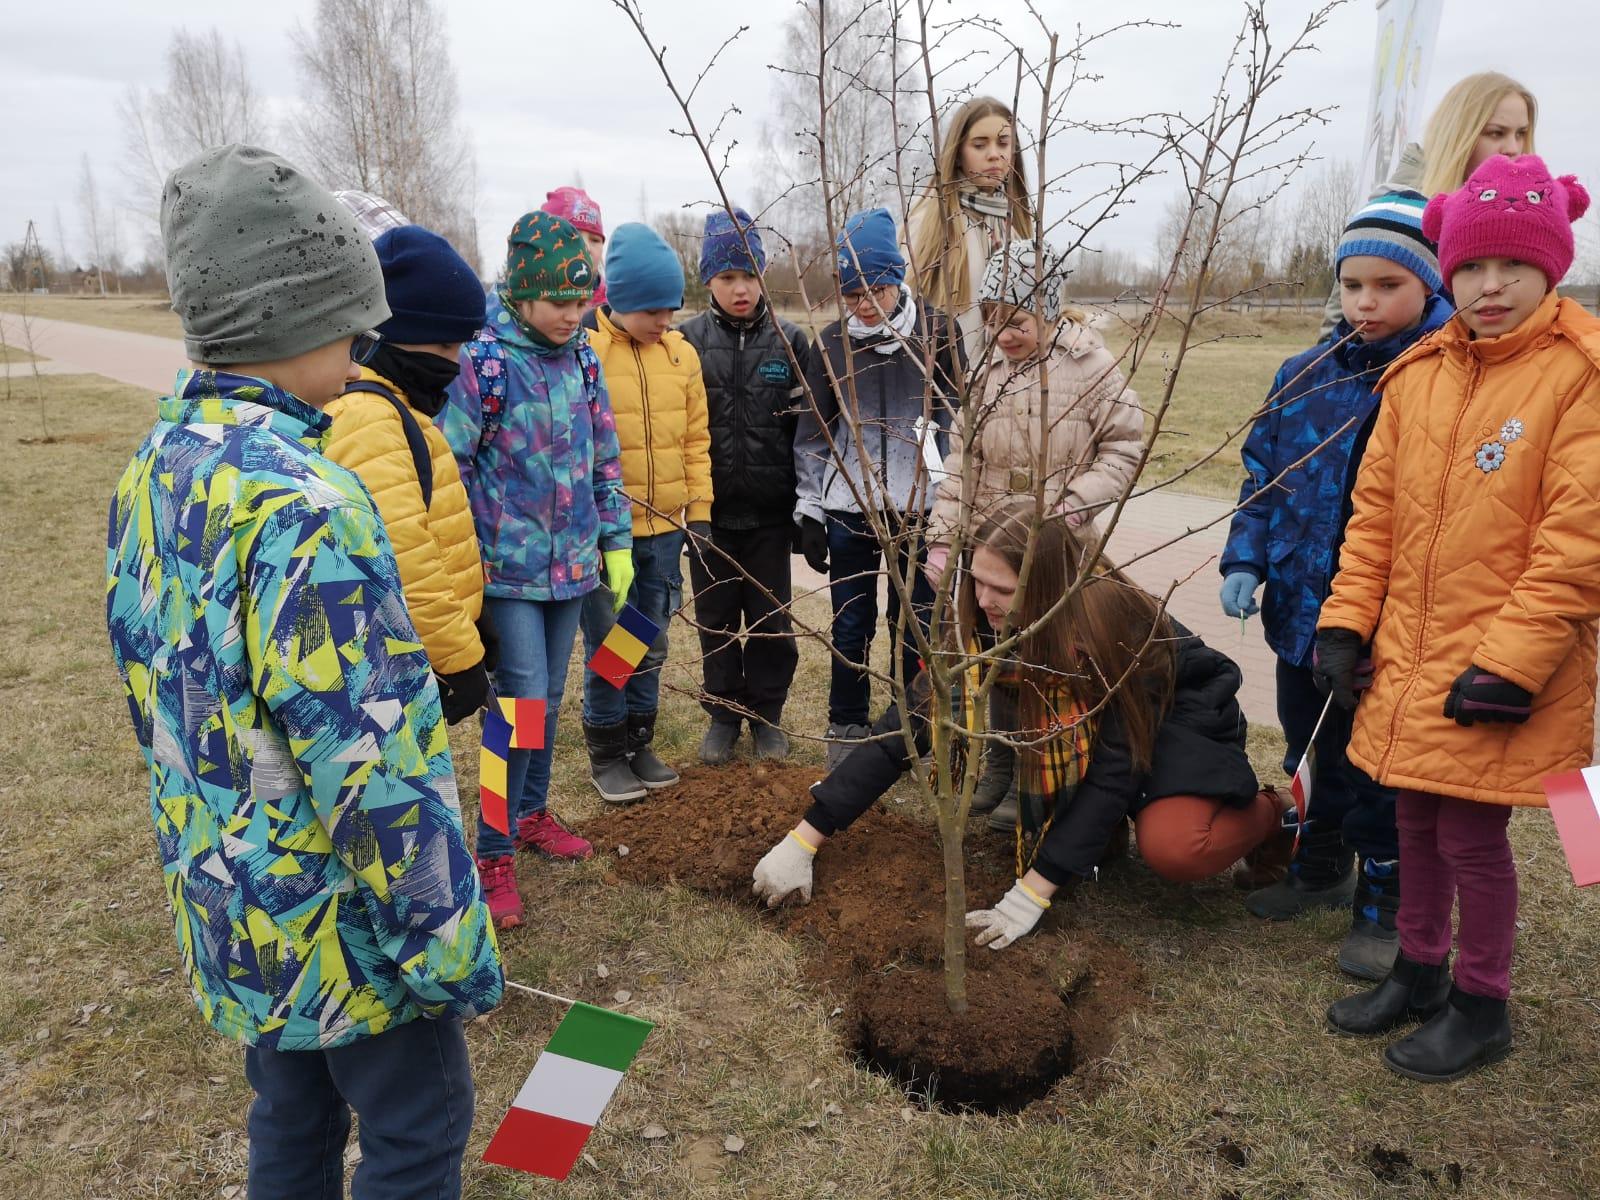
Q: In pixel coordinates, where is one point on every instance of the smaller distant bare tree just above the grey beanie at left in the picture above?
(209, 100)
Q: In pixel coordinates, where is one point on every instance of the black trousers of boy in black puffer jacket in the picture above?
(746, 636)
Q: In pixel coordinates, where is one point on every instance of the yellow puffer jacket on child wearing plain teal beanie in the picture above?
(658, 398)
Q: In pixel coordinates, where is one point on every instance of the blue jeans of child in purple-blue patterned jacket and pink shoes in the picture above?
(537, 644)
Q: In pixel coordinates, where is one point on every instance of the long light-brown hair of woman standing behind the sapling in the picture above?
(938, 231)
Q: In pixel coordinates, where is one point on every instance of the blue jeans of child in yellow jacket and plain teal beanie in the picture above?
(658, 594)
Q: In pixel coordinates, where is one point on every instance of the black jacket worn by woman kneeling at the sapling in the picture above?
(1199, 751)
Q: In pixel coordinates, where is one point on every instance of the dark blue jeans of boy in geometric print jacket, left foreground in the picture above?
(412, 1087)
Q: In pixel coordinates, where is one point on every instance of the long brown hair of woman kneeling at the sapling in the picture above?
(1110, 644)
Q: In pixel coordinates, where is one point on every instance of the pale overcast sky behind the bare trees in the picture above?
(545, 100)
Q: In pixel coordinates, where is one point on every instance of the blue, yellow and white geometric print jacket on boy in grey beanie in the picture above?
(300, 778)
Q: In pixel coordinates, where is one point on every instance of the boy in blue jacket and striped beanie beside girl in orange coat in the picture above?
(1300, 463)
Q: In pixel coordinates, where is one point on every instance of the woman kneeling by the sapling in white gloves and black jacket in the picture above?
(1167, 746)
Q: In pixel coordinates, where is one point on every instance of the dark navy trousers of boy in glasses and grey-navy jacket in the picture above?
(854, 562)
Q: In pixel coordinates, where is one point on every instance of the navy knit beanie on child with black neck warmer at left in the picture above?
(431, 290)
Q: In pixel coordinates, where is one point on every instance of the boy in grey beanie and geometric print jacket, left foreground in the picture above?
(302, 788)
